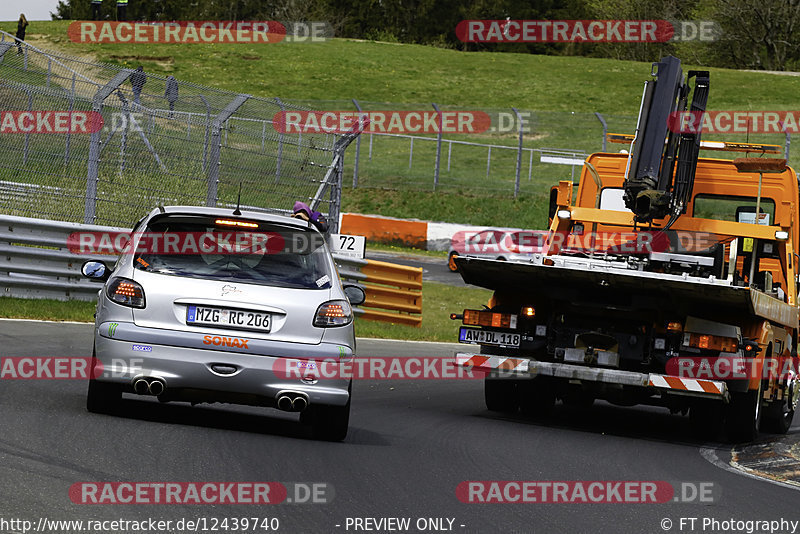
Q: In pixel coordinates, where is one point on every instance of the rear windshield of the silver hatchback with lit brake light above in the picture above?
(231, 249)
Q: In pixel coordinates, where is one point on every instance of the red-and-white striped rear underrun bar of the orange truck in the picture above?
(522, 368)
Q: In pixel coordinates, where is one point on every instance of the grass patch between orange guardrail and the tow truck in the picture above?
(438, 302)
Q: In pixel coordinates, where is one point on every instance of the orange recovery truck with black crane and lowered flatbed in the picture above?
(666, 279)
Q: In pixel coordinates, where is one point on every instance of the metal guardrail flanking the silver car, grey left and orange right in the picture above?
(36, 263)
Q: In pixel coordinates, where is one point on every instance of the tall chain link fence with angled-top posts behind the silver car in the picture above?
(160, 141)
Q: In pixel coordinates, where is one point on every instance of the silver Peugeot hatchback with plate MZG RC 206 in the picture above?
(210, 305)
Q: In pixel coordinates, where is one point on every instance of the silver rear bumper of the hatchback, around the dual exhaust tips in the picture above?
(241, 375)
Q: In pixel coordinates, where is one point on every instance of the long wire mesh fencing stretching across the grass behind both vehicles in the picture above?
(172, 142)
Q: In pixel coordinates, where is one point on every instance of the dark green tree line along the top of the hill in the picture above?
(751, 34)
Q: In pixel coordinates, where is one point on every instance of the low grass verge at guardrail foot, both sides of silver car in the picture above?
(438, 301)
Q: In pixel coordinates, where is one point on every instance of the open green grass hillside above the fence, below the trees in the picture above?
(342, 69)
